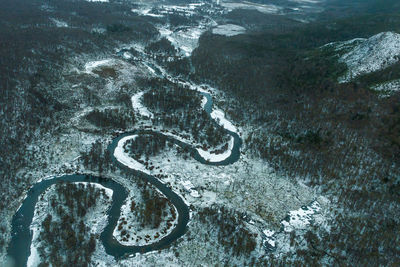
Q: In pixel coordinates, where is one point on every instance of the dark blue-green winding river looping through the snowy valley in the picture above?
(19, 248)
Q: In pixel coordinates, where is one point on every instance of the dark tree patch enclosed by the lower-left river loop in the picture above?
(64, 237)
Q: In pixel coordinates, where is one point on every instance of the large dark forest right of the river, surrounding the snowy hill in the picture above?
(310, 126)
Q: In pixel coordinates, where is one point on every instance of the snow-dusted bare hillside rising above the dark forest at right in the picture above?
(370, 55)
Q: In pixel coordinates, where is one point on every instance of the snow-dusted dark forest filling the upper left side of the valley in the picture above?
(33, 53)
